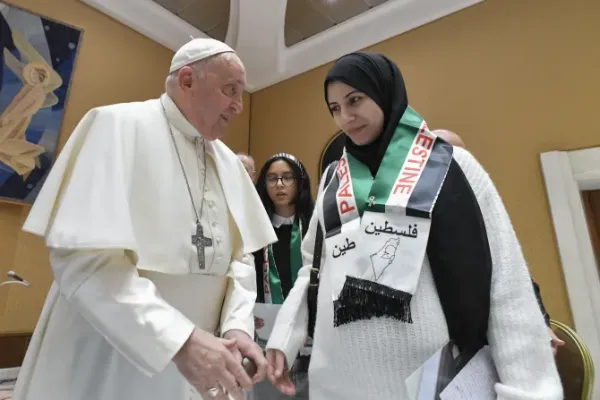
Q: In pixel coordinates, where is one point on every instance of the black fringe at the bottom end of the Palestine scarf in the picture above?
(362, 299)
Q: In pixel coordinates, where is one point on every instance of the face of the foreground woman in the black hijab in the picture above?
(355, 113)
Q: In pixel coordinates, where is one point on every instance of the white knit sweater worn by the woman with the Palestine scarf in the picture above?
(371, 359)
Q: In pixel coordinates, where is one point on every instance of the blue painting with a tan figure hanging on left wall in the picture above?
(37, 59)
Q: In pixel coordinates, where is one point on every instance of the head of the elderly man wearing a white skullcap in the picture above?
(207, 81)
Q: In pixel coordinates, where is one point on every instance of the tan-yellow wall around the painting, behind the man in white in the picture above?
(115, 64)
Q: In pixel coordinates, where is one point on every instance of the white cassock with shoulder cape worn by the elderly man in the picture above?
(117, 217)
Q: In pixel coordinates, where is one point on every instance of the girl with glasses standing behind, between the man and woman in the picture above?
(284, 188)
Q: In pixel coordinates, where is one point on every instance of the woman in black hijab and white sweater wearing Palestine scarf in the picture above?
(417, 251)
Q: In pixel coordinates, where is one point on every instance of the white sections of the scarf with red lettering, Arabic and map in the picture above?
(385, 248)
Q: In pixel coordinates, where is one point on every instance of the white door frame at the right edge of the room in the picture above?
(566, 174)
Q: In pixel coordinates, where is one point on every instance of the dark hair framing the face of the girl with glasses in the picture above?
(303, 200)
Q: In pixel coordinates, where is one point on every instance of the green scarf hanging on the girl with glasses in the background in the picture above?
(271, 282)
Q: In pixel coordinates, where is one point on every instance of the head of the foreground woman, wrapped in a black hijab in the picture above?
(365, 94)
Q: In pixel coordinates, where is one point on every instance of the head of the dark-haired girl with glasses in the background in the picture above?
(283, 182)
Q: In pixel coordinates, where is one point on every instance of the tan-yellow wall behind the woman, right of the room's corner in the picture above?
(514, 78)
